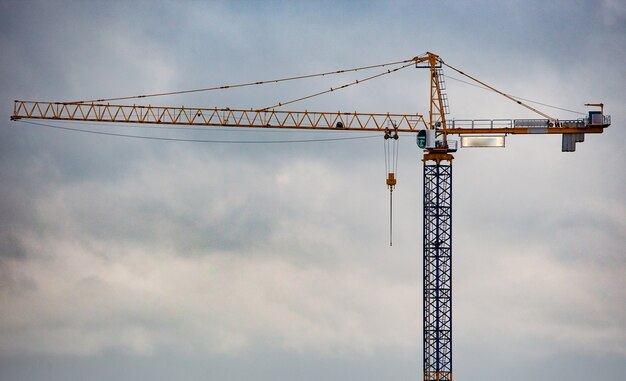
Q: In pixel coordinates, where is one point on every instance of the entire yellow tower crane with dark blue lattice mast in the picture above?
(433, 133)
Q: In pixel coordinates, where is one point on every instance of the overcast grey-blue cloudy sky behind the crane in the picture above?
(130, 259)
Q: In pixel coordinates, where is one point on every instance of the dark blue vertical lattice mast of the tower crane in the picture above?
(437, 267)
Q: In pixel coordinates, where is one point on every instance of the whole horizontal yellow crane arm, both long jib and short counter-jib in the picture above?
(226, 117)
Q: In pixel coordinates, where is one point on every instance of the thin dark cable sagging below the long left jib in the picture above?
(202, 140)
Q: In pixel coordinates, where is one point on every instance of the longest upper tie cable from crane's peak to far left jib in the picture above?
(245, 84)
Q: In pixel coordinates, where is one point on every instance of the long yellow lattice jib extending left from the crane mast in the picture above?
(215, 117)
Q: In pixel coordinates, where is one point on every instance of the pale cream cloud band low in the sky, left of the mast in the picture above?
(78, 303)
